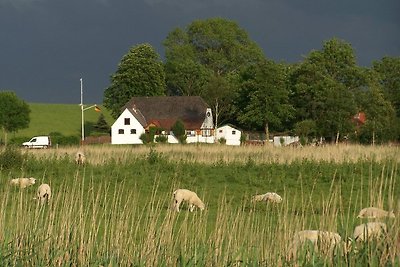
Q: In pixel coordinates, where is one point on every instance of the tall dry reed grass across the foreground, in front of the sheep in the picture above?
(92, 223)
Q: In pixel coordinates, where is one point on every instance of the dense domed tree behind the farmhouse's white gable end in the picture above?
(140, 73)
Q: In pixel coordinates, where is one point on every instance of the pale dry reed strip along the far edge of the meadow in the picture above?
(211, 154)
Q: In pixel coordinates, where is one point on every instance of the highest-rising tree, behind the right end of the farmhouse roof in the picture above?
(205, 58)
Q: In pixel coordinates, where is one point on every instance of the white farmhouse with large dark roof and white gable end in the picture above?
(162, 112)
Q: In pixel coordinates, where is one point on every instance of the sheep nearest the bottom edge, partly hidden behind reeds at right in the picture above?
(322, 241)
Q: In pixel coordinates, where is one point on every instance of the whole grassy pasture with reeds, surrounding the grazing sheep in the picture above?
(116, 209)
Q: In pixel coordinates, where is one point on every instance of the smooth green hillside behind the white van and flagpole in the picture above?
(62, 118)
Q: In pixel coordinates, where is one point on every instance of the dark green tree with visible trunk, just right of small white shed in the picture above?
(263, 100)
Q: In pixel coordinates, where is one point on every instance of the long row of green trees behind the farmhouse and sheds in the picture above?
(317, 97)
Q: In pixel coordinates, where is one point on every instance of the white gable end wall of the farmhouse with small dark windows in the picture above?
(122, 133)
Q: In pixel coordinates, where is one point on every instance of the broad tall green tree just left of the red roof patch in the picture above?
(323, 88)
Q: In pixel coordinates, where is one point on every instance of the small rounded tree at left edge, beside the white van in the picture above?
(14, 113)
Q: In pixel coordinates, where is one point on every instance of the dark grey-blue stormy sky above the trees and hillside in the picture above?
(46, 46)
